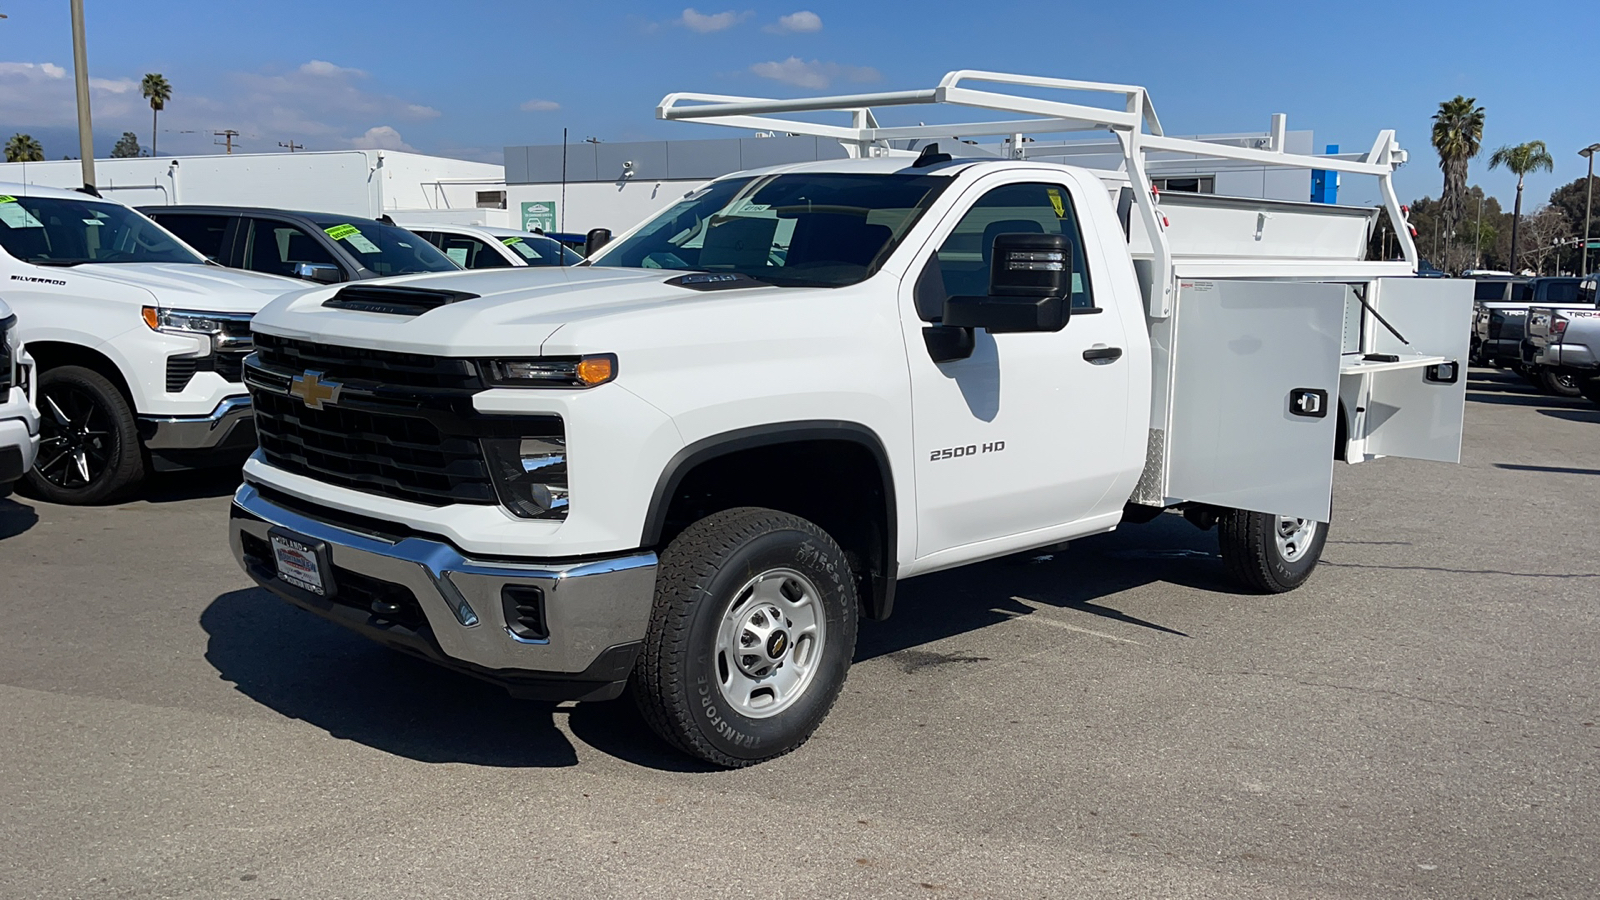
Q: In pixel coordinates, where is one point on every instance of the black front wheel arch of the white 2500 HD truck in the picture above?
(826, 454)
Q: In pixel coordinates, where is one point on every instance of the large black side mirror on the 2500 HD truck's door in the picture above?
(1030, 287)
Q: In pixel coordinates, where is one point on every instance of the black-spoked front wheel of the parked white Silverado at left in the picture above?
(86, 425)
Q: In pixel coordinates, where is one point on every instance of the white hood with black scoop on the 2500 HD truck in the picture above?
(516, 310)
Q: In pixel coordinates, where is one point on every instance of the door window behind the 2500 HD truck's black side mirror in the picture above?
(1034, 209)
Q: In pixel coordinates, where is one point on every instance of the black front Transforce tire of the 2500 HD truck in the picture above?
(706, 581)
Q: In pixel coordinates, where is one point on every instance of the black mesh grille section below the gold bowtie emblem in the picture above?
(396, 456)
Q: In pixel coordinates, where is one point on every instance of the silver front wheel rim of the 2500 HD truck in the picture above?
(770, 643)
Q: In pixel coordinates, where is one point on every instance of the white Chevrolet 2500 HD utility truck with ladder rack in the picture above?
(695, 460)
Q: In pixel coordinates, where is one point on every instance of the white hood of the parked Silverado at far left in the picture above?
(190, 286)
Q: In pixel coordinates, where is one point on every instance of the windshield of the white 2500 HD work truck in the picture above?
(796, 230)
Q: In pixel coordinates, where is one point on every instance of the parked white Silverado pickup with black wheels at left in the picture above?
(137, 339)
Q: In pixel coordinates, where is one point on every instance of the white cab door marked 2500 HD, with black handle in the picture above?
(1028, 432)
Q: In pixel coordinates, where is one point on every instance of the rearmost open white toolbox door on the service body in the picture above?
(1415, 406)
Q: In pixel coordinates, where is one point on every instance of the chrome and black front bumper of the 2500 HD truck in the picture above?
(596, 613)
